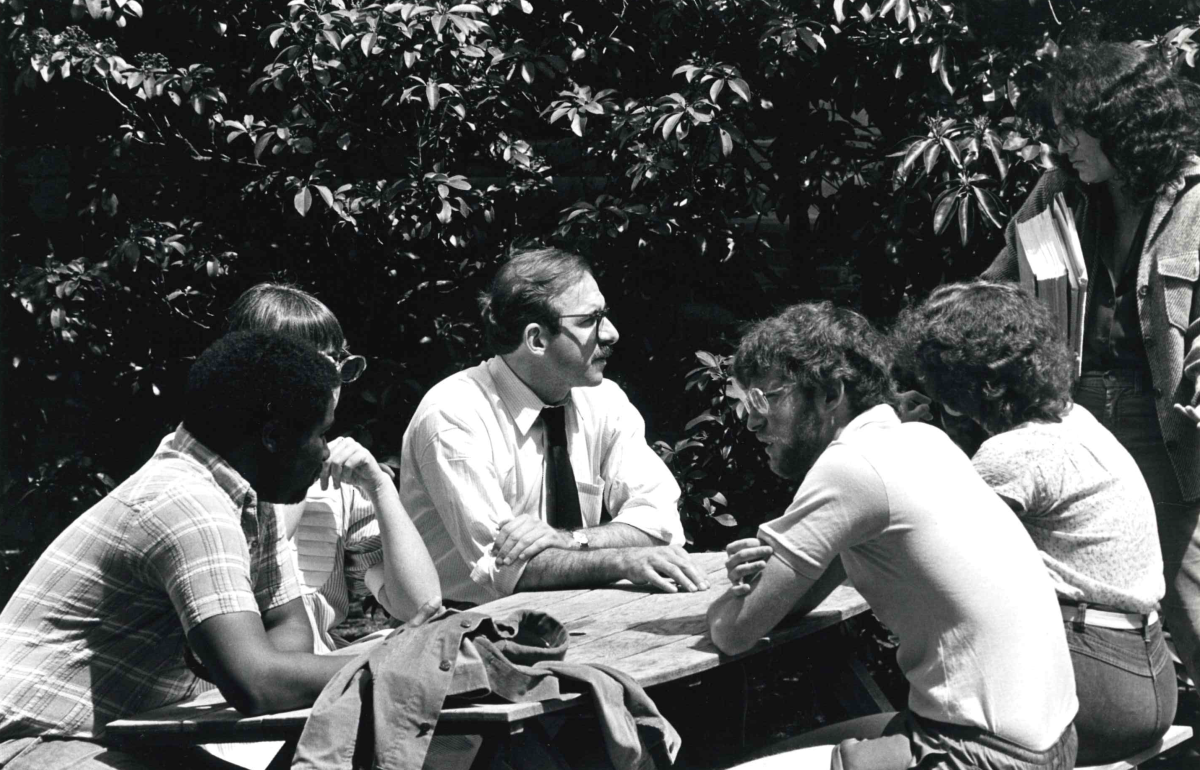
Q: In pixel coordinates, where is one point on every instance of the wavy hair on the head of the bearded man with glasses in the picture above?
(818, 347)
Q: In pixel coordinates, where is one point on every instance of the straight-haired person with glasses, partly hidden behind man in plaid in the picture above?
(351, 534)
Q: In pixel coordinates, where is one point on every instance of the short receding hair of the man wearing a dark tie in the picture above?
(523, 293)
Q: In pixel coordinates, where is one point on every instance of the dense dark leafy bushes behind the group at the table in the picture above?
(716, 159)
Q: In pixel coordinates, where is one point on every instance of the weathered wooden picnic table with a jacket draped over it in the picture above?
(655, 637)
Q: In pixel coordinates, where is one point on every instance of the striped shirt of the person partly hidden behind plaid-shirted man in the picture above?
(337, 542)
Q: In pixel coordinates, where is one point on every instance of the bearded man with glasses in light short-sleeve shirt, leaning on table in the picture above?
(887, 504)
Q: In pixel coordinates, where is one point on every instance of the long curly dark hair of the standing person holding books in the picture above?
(1131, 99)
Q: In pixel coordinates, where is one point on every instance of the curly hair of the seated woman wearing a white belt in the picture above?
(989, 351)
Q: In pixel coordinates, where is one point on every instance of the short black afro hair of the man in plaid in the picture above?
(248, 380)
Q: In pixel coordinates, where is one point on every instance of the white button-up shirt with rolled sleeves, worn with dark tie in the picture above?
(475, 458)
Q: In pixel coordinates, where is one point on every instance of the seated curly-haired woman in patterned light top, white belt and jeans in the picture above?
(991, 353)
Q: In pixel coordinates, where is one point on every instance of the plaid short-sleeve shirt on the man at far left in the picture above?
(97, 630)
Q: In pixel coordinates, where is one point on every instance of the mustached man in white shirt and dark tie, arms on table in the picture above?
(511, 466)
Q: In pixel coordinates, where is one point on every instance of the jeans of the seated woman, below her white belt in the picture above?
(1126, 687)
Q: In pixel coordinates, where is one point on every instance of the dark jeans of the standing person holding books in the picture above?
(1124, 402)
